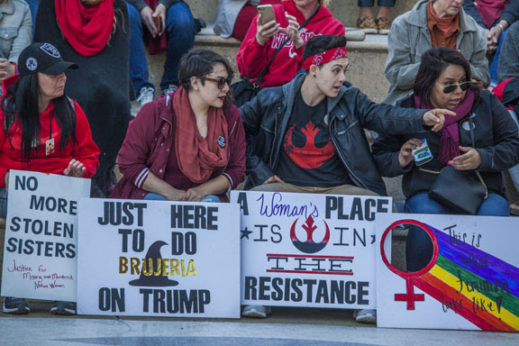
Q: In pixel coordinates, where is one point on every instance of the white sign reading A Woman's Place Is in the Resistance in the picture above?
(308, 249)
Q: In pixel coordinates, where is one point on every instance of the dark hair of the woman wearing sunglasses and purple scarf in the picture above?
(434, 62)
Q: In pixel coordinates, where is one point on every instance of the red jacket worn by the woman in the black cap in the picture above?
(11, 155)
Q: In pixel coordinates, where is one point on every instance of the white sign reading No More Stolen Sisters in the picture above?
(40, 248)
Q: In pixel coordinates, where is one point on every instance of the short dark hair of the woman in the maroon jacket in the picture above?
(198, 63)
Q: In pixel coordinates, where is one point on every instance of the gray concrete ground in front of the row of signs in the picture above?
(285, 327)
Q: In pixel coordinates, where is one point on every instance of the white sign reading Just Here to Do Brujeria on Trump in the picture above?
(150, 258)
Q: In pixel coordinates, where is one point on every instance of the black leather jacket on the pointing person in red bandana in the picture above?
(265, 119)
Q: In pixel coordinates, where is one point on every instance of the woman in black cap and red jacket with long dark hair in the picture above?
(42, 130)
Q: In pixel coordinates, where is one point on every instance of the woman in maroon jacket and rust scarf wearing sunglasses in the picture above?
(190, 144)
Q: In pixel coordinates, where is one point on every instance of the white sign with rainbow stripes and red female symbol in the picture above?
(471, 281)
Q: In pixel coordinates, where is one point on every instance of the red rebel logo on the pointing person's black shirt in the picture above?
(309, 156)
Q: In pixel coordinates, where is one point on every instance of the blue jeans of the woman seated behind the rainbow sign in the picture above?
(419, 246)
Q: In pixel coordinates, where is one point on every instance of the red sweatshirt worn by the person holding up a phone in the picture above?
(252, 57)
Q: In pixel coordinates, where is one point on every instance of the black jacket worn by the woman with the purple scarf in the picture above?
(495, 136)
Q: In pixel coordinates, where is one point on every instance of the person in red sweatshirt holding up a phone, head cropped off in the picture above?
(262, 41)
